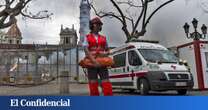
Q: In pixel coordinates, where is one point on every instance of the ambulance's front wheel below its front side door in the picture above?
(143, 87)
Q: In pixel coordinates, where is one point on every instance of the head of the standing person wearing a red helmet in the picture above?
(95, 24)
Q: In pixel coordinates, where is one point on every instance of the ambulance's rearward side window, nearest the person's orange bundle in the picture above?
(120, 60)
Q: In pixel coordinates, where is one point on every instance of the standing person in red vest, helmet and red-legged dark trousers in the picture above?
(96, 44)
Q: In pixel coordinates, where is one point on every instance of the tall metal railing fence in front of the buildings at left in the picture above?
(36, 65)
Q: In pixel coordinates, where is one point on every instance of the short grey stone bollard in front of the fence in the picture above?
(64, 82)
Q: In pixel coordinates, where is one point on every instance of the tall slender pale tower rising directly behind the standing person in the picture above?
(84, 19)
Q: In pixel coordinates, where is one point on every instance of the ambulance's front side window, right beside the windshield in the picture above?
(133, 58)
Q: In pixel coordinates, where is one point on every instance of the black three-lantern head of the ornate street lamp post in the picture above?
(195, 35)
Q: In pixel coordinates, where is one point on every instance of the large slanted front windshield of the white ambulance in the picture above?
(156, 55)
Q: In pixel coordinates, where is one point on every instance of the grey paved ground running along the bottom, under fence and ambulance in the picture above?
(75, 89)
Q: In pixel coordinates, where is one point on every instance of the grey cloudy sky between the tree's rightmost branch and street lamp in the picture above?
(167, 24)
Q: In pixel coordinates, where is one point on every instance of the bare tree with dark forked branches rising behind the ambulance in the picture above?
(124, 16)
